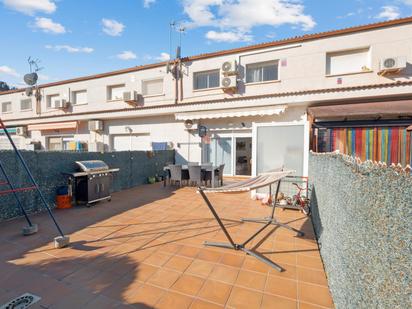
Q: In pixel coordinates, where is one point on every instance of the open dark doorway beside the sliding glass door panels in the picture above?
(243, 156)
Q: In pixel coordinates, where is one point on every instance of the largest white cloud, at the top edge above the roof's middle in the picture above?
(241, 16)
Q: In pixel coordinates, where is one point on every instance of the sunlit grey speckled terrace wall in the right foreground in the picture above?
(362, 217)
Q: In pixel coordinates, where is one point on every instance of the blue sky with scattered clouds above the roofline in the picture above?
(81, 37)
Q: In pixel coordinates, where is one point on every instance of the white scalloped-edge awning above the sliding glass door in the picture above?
(230, 113)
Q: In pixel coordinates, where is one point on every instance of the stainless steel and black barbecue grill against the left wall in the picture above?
(92, 181)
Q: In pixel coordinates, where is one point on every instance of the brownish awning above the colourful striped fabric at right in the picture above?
(363, 110)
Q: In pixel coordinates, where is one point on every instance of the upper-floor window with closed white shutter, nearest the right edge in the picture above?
(346, 62)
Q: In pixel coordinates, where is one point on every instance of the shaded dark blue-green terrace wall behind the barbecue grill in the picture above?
(47, 168)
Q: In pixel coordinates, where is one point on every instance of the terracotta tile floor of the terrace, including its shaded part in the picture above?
(145, 249)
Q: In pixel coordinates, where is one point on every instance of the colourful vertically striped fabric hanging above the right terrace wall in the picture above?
(390, 145)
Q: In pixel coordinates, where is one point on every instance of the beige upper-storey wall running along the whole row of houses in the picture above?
(305, 70)
